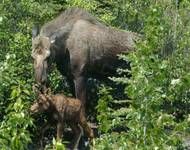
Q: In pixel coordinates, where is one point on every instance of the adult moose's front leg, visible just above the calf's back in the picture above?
(80, 89)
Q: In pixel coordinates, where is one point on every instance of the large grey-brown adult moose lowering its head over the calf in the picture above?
(81, 47)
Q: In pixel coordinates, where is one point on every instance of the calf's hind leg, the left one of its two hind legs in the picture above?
(77, 135)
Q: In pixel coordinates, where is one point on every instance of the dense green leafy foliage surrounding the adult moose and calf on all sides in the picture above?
(149, 110)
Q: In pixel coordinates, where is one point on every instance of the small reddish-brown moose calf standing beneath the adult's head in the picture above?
(60, 109)
